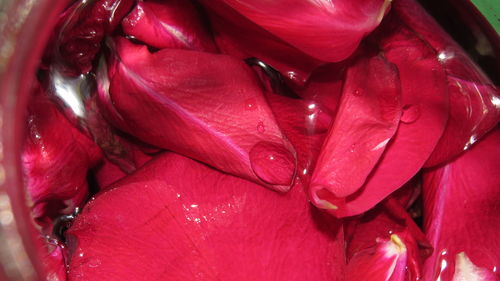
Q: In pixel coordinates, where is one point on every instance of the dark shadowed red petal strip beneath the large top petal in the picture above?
(239, 37)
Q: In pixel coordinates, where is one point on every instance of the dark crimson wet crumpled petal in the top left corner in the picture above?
(80, 31)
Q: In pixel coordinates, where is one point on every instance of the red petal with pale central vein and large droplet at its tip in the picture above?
(205, 106)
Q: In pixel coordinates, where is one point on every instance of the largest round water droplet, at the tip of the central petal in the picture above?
(272, 163)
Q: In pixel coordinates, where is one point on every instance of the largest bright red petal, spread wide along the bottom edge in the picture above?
(198, 223)
